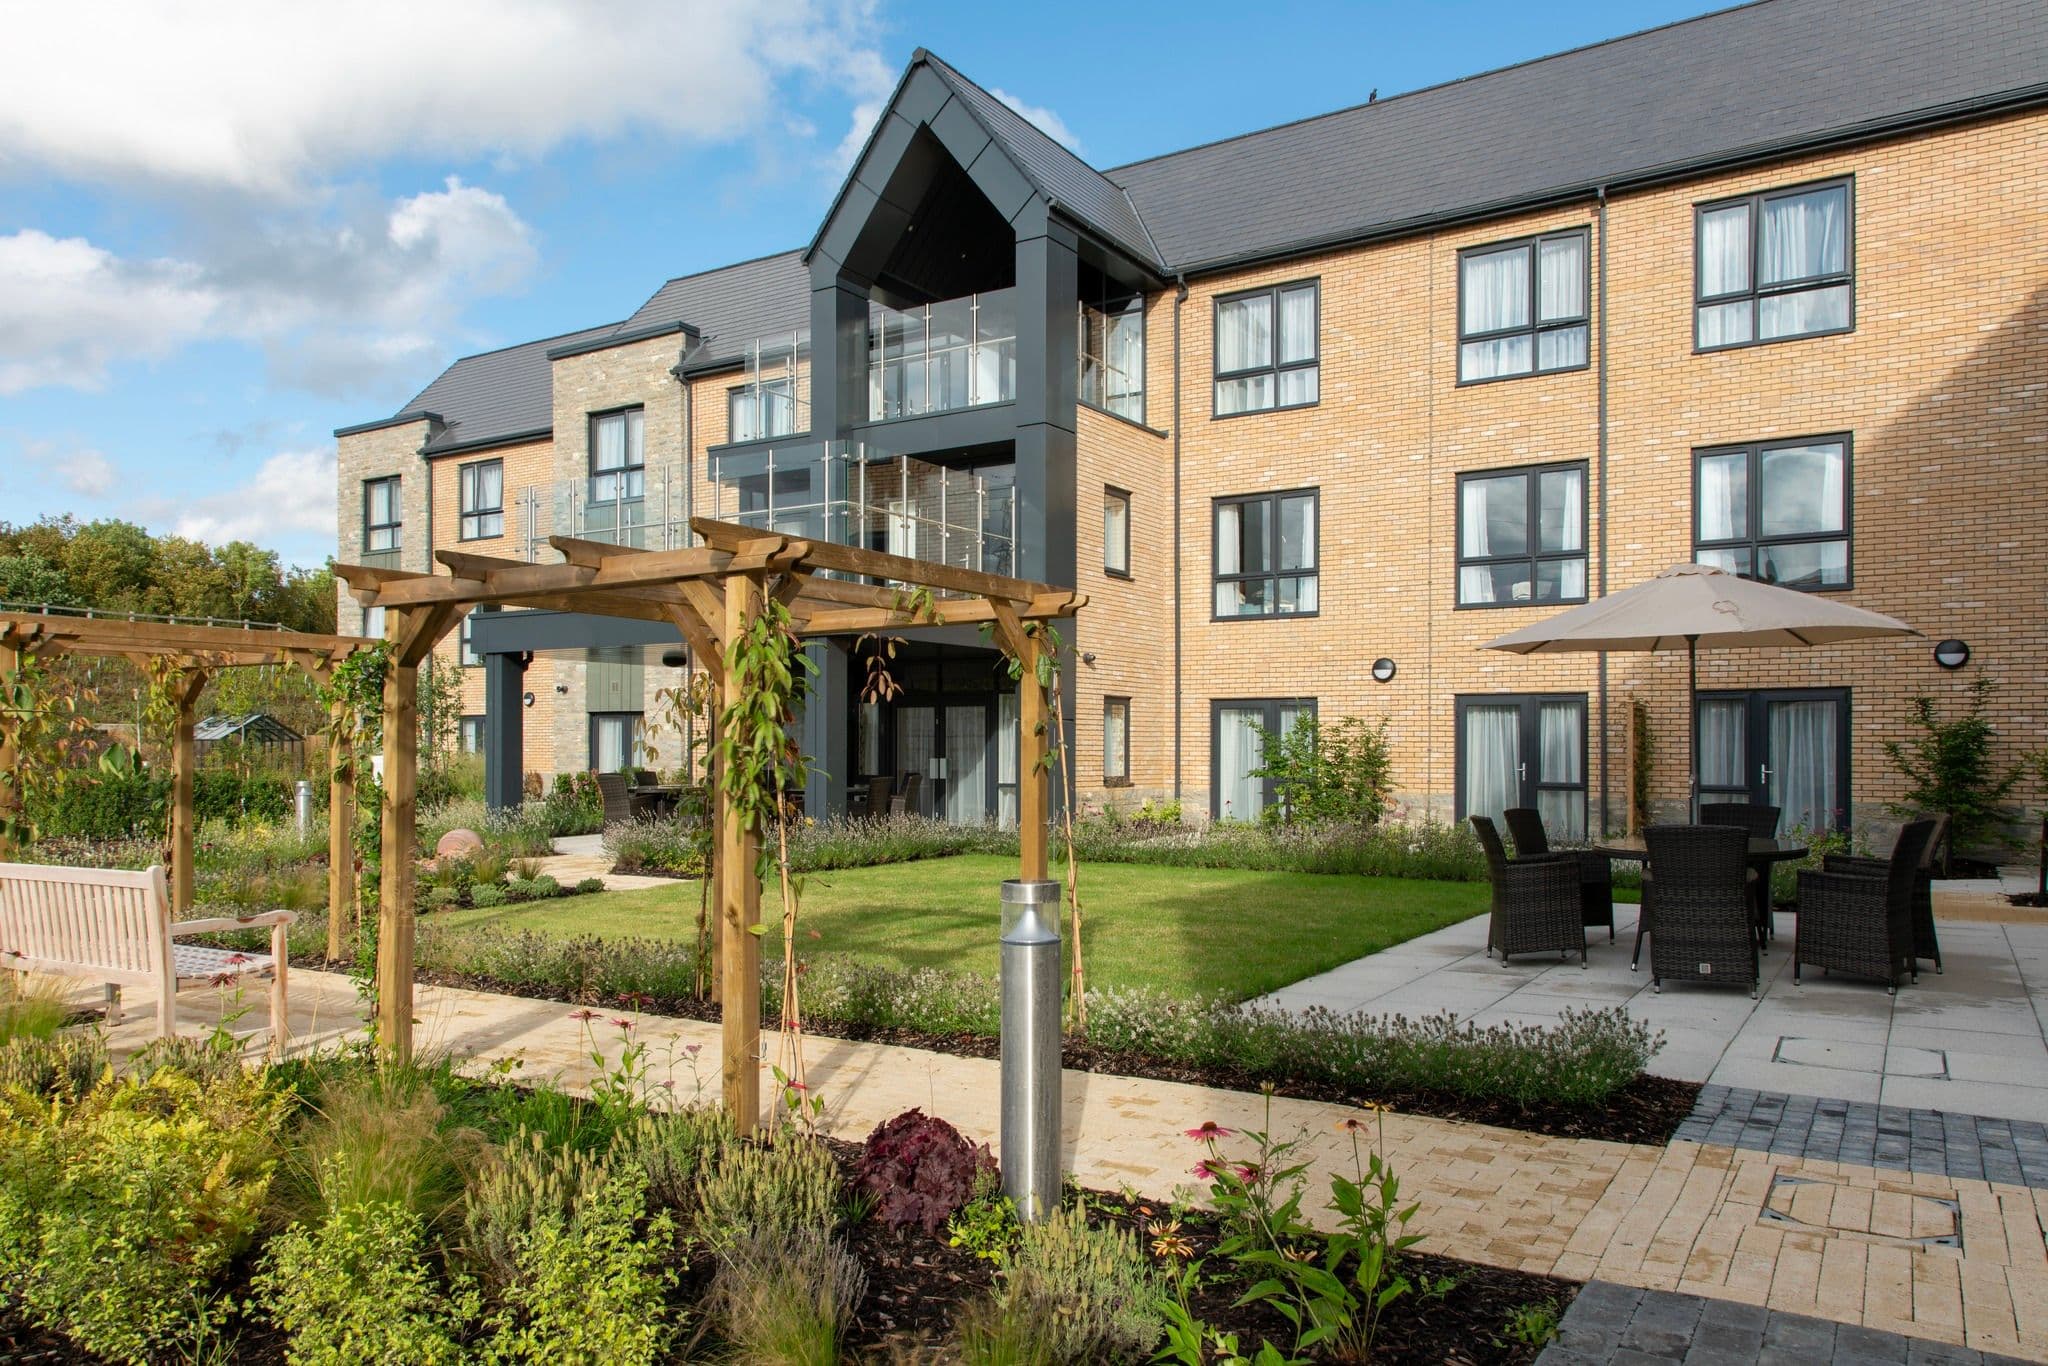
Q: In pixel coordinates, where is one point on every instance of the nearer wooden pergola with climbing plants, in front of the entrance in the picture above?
(710, 595)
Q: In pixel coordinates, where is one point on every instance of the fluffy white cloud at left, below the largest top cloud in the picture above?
(341, 302)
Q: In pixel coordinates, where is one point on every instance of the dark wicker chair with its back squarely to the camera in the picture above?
(1697, 906)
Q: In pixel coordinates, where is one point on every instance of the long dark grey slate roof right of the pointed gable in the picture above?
(1719, 89)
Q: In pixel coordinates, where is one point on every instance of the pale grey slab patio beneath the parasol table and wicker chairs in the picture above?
(1967, 1041)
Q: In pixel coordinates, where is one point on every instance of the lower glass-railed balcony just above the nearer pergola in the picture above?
(853, 495)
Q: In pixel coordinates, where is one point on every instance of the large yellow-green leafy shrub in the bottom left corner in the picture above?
(128, 1207)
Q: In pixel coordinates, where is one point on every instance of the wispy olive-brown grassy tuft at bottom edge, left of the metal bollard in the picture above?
(783, 1297)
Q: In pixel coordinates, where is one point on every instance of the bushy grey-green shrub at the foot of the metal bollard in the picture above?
(1095, 1287)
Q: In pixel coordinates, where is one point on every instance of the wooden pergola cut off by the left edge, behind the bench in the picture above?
(196, 654)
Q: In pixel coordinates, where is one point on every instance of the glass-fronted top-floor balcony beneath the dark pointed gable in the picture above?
(941, 357)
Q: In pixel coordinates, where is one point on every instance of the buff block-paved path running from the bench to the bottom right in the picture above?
(1924, 1254)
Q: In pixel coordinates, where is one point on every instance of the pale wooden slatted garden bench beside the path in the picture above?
(114, 927)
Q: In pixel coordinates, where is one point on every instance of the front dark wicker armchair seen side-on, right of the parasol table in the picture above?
(1859, 914)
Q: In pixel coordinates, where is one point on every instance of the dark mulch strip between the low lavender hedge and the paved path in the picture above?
(1646, 1111)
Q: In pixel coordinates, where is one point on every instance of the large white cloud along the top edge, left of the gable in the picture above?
(269, 97)
